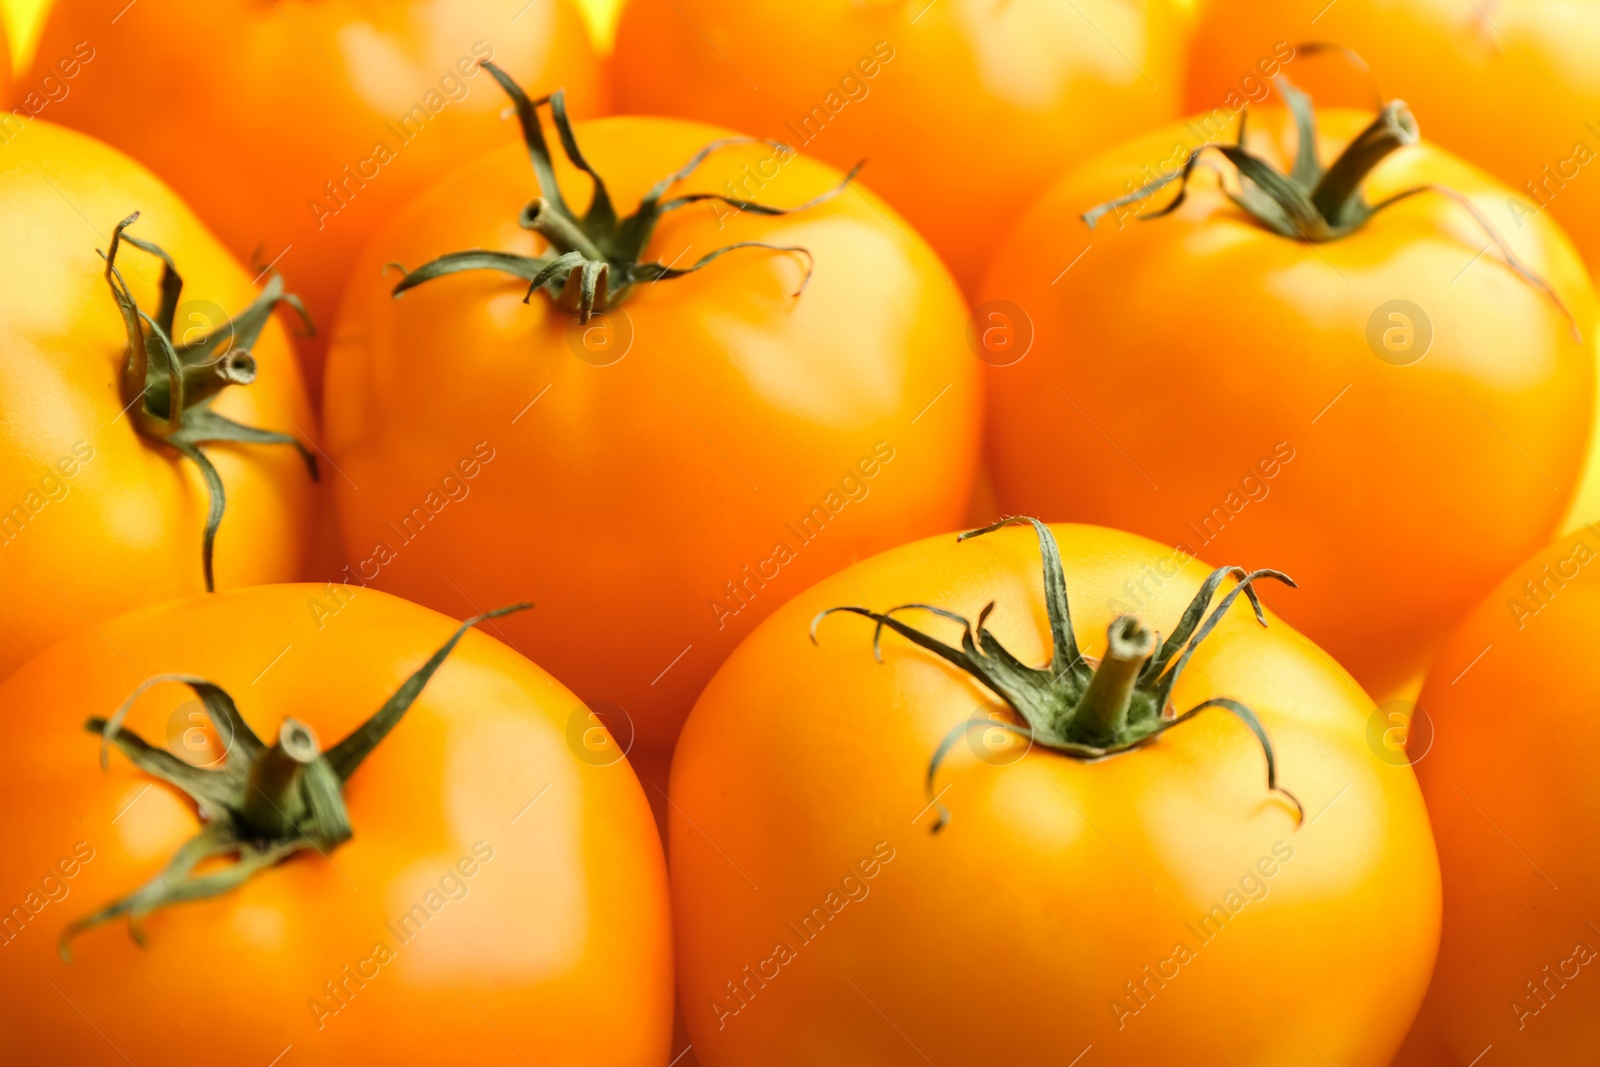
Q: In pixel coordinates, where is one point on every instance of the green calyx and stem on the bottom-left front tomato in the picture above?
(262, 805)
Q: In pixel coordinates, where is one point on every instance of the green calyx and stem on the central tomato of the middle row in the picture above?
(596, 260)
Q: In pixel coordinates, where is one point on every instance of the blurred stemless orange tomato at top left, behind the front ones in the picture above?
(321, 119)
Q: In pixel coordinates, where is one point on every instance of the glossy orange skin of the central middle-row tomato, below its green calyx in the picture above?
(666, 478)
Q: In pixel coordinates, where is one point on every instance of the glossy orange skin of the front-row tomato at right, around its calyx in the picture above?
(1012, 937)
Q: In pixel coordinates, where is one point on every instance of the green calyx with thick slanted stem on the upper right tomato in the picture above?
(1316, 204)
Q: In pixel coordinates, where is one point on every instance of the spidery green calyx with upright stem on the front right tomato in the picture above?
(1071, 706)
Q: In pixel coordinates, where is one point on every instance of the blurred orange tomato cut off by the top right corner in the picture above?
(1511, 86)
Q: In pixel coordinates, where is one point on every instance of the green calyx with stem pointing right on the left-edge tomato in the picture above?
(167, 390)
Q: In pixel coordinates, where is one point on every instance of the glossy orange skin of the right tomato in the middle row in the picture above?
(1260, 414)
